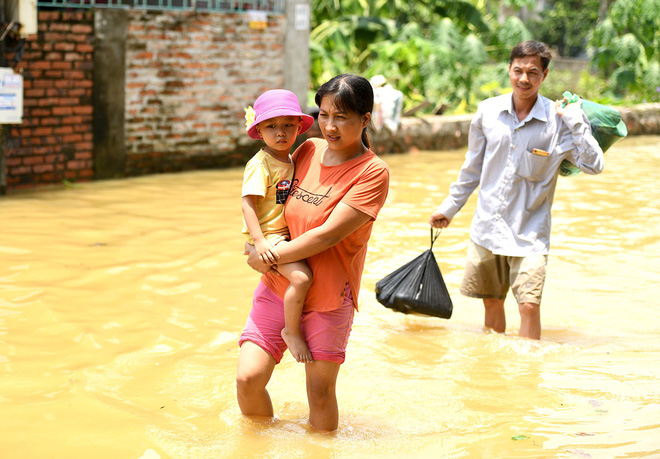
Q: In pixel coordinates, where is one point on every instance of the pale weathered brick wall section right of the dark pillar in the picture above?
(188, 79)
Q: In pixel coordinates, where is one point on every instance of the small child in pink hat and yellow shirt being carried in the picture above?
(278, 120)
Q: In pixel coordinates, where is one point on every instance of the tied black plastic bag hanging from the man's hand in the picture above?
(416, 287)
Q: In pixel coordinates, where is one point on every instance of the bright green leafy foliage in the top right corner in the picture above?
(626, 49)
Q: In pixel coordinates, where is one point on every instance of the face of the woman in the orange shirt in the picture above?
(342, 130)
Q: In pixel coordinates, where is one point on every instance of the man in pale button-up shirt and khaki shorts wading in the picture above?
(516, 144)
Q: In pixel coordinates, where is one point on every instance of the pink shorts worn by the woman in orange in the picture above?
(326, 332)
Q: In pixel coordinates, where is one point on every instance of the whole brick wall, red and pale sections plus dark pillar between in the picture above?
(115, 93)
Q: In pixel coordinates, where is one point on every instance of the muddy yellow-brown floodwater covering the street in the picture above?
(121, 303)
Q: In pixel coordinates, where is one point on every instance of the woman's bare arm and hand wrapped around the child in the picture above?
(343, 221)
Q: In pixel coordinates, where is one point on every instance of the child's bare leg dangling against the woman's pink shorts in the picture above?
(300, 278)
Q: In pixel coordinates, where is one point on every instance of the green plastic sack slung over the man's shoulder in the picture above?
(606, 126)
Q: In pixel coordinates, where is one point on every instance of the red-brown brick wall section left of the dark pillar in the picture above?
(54, 143)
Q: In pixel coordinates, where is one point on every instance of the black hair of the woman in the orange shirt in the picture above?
(352, 93)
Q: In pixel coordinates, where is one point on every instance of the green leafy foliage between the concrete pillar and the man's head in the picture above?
(433, 51)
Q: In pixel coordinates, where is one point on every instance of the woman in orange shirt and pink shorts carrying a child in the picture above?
(339, 187)
